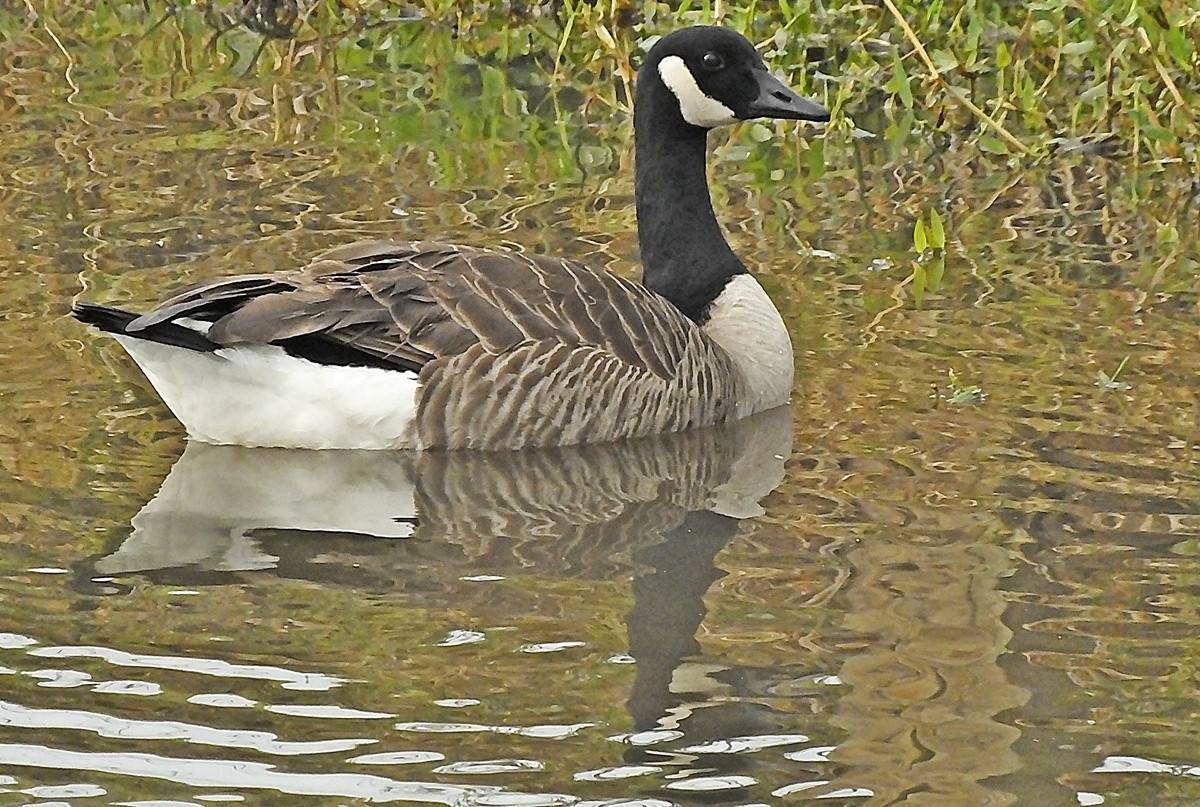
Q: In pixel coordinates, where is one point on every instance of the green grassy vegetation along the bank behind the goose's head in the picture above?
(1118, 81)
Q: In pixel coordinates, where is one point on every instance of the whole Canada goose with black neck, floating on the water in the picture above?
(421, 345)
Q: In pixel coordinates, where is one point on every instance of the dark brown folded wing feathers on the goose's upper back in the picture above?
(421, 301)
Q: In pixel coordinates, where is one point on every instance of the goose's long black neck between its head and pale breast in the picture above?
(685, 255)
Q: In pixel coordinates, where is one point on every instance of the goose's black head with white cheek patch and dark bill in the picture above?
(718, 79)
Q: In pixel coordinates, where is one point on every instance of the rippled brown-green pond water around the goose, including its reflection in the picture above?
(940, 601)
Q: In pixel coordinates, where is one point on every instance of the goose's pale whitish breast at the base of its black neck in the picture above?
(747, 325)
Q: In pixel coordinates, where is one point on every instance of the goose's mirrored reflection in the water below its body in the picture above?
(659, 509)
